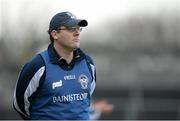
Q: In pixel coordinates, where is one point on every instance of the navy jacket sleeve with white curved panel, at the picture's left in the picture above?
(30, 78)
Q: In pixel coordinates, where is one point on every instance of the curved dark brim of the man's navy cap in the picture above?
(75, 22)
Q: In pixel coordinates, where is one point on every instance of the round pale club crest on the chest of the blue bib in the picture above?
(83, 80)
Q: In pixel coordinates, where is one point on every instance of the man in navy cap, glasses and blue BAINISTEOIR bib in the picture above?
(57, 84)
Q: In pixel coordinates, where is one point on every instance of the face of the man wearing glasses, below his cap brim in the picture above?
(68, 37)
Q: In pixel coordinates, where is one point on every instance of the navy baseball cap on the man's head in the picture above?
(65, 19)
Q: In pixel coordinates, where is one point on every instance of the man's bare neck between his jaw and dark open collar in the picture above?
(66, 54)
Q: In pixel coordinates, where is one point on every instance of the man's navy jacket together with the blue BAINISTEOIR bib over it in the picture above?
(49, 88)
